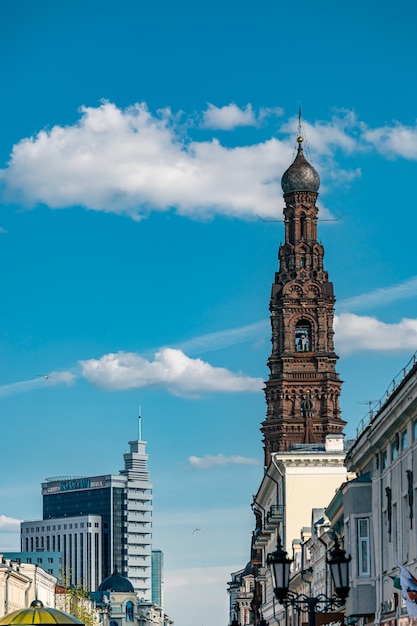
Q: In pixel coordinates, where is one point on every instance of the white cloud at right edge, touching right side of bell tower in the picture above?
(354, 333)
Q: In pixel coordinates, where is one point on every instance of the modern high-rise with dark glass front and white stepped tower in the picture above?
(98, 524)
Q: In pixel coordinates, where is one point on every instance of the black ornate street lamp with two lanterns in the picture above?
(339, 567)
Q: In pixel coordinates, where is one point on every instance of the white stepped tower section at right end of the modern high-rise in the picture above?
(138, 530)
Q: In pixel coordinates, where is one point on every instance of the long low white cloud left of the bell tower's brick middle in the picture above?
(171, 368)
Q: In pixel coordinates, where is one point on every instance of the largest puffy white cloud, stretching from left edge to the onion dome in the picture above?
(131, 162)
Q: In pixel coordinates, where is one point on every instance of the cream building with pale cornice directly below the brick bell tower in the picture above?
(294, 484)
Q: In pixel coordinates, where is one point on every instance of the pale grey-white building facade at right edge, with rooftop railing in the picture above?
(380, 512)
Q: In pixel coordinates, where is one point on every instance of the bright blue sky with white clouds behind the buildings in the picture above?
(140, 145)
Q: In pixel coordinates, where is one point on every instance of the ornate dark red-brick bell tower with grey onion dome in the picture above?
(303, 389)
